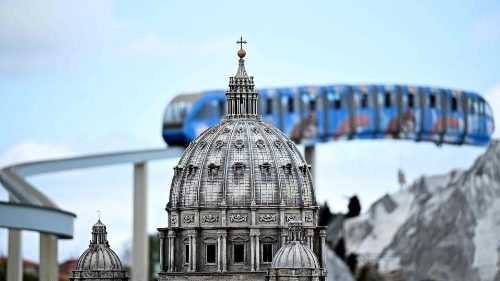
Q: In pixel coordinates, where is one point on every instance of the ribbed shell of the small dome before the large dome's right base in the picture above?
(295, 254)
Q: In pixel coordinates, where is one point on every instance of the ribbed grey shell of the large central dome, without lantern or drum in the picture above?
(241, 162)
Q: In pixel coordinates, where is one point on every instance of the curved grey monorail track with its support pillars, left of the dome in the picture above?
(30, 209)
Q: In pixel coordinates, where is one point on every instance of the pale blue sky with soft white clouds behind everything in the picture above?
(95, 76)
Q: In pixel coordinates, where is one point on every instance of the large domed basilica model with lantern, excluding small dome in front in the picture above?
(234, 192)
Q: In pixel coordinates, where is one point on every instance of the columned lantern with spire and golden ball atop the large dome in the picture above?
(241, 97)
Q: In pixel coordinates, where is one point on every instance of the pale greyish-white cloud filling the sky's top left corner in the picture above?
(39, 36)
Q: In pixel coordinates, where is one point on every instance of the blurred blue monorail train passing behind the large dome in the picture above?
(320, 114)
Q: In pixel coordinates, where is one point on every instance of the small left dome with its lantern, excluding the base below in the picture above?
(99, 255)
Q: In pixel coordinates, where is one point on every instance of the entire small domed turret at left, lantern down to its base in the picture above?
(99, 262)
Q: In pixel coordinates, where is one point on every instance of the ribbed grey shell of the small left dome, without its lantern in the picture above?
(99, 257)
